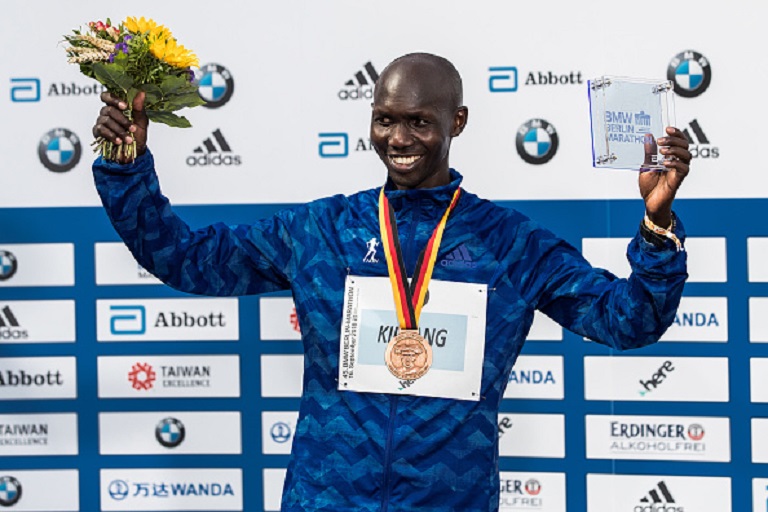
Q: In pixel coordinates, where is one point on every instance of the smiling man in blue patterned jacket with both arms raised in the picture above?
(358, 451)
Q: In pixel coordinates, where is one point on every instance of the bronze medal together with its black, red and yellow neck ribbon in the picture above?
(409, 355)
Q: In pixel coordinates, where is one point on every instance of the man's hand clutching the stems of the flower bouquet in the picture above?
(114, 126)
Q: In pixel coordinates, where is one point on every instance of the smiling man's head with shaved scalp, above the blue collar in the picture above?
(412, 123)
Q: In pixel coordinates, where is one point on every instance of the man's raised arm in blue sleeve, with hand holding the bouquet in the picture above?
(215, 260)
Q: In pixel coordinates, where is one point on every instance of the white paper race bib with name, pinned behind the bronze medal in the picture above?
(452, 321)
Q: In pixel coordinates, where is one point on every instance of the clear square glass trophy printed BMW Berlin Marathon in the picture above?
(627, 116)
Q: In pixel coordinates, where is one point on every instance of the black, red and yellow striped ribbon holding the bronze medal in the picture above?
(409, 299)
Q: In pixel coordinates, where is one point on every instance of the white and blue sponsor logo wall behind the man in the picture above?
(118, 393)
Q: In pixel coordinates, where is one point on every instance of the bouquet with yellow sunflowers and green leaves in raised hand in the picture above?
(137, 55)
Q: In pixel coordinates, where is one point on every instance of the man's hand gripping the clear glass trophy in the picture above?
(658, 188)
